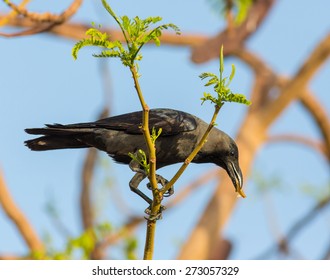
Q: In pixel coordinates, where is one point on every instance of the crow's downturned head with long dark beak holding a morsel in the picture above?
(224, 153)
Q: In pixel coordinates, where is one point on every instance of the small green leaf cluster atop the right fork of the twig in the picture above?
(221, 87)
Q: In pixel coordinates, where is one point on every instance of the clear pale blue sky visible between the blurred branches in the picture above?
(41, 83)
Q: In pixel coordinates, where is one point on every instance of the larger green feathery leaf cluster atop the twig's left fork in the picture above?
(137, 32)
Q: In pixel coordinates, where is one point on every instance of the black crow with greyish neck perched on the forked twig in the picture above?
(120, 135)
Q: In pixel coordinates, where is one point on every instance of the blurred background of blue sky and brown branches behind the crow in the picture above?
(77, 203)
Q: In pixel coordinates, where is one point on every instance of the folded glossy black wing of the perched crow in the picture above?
(171, 121)
